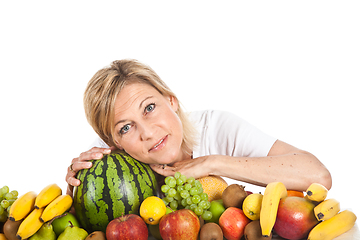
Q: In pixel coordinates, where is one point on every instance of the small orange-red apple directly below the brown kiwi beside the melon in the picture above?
(233, 222)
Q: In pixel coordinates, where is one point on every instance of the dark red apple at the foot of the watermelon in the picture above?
(129, 226)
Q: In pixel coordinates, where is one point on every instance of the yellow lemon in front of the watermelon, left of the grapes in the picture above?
(152, 209)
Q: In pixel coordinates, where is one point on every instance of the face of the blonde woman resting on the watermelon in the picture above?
(146, 125)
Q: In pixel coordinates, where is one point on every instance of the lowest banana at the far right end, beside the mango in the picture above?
(333, 227)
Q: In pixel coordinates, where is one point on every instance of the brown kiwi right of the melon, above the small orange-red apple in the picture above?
(234, 195)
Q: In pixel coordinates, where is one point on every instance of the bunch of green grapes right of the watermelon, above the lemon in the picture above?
(182, 192)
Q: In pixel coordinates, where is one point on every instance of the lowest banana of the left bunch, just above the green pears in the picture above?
(30, 225)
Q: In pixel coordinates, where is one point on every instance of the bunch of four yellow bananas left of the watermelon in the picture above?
(38, 209)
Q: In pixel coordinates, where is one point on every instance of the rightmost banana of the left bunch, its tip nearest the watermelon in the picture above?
(56, 207)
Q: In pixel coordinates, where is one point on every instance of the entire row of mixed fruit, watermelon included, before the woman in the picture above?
(184, 208)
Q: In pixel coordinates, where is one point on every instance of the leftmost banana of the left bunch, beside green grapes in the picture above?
(22, 206)
